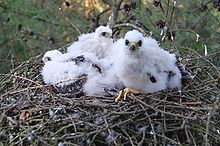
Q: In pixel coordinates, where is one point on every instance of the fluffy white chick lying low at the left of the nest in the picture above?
(76, 76)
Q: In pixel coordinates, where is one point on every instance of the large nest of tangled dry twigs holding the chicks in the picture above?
(33, 114)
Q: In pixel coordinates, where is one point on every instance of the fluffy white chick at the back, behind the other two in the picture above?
(98, 42)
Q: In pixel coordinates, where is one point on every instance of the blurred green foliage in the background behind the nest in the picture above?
(31, 27)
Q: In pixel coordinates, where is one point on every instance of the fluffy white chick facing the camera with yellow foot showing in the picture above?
(142, 65)
